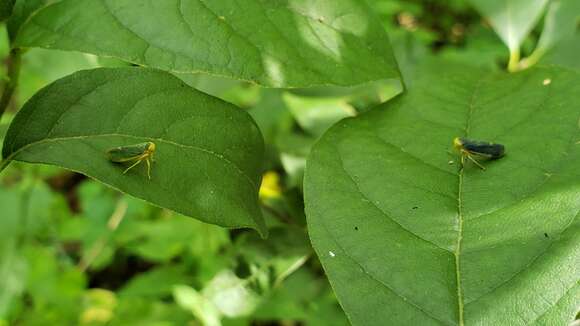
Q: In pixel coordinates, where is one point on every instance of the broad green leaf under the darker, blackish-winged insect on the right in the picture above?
(408, 237)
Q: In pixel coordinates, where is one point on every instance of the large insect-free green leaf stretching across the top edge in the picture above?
(295, 43)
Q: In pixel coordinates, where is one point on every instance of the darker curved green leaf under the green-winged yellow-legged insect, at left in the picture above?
(207, 163)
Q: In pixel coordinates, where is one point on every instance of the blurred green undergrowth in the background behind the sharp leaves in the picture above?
(75, 252)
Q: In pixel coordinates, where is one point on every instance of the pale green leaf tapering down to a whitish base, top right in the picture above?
(512, 20)
